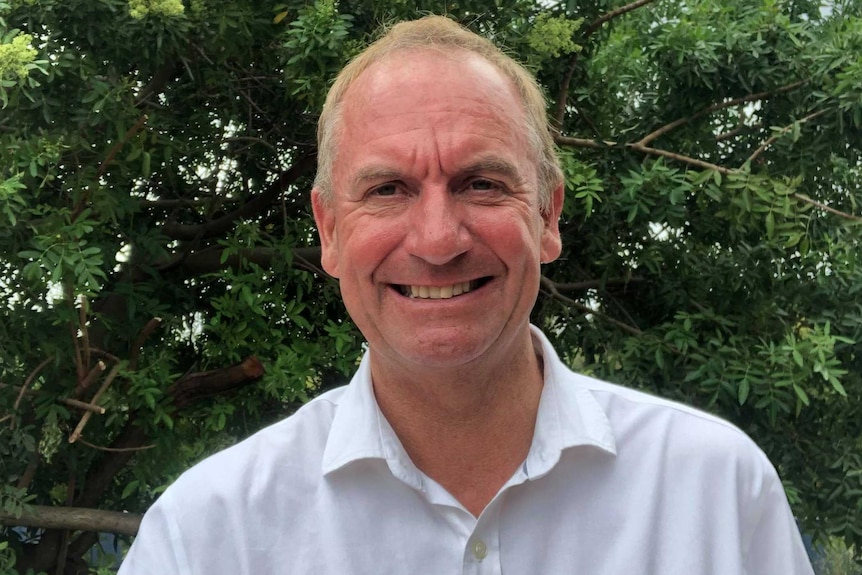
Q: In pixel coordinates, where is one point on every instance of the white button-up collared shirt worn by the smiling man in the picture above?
(616, 481)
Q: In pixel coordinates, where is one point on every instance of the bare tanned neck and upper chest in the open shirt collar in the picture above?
(468, 428)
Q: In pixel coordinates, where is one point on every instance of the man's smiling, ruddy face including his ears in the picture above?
(434, 230)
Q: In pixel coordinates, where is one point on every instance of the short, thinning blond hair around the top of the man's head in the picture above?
(438, 32)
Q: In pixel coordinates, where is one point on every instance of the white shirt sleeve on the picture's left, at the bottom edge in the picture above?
(157, 548)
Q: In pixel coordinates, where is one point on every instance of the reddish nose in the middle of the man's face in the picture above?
(437, 232)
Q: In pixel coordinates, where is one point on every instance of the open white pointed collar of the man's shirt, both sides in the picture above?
(568, 416)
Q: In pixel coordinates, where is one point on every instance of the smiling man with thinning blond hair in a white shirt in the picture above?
(463, 444)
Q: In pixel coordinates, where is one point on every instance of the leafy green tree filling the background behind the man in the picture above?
(160, 273)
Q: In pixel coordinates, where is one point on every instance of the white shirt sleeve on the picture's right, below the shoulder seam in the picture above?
(775, 546)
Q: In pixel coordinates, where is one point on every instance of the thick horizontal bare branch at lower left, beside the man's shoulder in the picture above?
(74, 519)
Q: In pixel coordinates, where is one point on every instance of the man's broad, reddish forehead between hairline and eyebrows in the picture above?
(422, 97)
